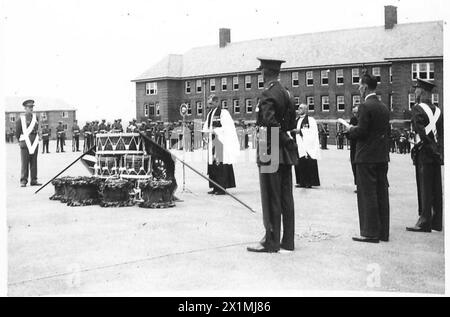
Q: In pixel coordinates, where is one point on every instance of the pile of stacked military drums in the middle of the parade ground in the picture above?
(124, 174)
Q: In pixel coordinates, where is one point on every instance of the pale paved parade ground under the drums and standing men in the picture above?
(200, 245)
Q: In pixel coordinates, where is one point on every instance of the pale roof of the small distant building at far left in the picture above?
(14, 104)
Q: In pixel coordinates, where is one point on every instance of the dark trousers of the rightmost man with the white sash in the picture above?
(429, 192)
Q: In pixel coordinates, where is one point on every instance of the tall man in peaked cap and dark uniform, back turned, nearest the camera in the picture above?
(275, 117)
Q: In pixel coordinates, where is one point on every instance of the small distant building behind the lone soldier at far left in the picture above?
(49, 111)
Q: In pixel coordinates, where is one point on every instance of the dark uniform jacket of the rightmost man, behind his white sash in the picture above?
(431, 149)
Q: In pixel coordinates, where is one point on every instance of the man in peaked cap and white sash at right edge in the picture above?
(428, 157)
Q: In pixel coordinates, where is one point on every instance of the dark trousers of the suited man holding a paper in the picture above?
(373, 199)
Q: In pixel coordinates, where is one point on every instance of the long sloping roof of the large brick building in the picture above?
(343, 47)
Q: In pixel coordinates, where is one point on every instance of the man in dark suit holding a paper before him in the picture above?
(371, 159)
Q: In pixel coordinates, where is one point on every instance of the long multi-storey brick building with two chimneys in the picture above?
(321, 70)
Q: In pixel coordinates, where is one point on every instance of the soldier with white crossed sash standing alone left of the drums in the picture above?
(27, 134)
